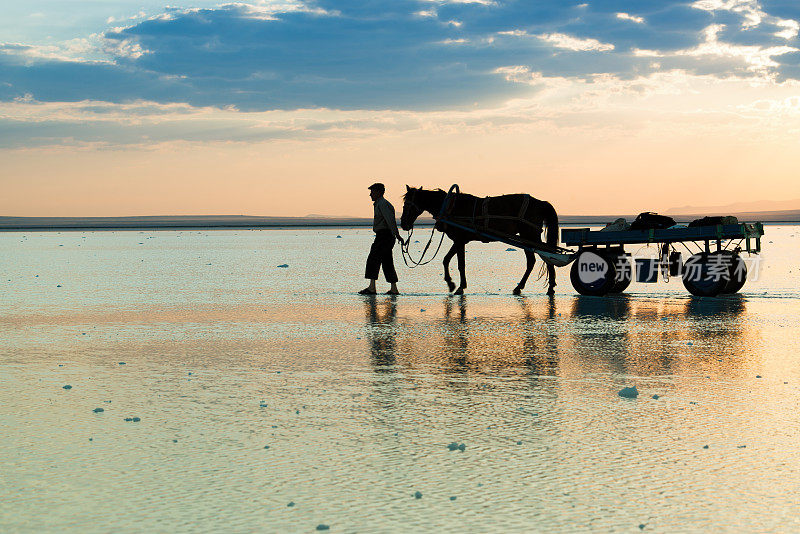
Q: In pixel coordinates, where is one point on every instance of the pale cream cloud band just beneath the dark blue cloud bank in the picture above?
(558, 104)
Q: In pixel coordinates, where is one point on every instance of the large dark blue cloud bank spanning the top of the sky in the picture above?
(399, 55)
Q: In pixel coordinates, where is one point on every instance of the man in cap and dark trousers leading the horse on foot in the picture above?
(380, 254)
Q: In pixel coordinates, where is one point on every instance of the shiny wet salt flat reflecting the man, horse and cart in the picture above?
(276, 399)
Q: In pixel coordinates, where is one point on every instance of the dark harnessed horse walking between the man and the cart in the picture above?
(518, 216)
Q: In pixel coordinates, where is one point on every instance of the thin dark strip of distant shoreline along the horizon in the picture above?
(181, 222)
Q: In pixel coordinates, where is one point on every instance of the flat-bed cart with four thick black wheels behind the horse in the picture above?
(602, 266)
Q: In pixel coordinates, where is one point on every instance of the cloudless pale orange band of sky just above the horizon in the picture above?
(580, 174)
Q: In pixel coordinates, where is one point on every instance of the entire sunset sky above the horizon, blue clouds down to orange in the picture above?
(289, 108)
